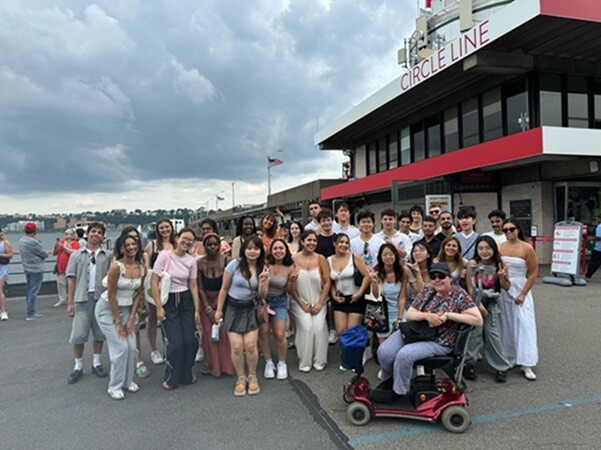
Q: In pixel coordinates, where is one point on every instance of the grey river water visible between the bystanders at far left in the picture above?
(48, 238)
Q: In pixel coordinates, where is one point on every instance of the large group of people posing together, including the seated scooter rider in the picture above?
(313, 281)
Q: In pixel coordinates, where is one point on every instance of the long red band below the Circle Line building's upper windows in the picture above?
(503, 150)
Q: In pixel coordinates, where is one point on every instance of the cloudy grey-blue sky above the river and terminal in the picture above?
(163, 104)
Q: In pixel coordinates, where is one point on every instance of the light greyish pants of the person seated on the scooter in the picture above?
(397, 359)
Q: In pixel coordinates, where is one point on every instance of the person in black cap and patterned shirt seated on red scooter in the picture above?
(444, 305)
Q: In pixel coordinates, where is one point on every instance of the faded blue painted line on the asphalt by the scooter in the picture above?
(481, 419)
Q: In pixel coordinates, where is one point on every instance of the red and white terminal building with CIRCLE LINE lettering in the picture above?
(505, 115)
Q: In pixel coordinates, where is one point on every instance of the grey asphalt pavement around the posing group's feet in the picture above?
(561, 409)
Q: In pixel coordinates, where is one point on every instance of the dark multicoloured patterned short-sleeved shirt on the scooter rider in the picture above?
(457, 301)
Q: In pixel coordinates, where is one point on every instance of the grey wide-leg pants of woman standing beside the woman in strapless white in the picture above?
(489, 335)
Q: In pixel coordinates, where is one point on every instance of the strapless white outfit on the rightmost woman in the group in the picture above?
(518, 323)
